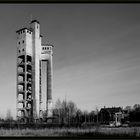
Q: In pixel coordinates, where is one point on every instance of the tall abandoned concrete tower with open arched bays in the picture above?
(34, 74)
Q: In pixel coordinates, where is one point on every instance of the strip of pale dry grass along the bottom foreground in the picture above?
(88, 132)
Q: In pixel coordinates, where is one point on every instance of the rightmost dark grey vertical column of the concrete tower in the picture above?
(49, 87)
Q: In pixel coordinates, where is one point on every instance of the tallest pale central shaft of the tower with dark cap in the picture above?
(36, 44)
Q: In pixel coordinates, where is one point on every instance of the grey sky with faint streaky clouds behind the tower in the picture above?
(96, 55)
